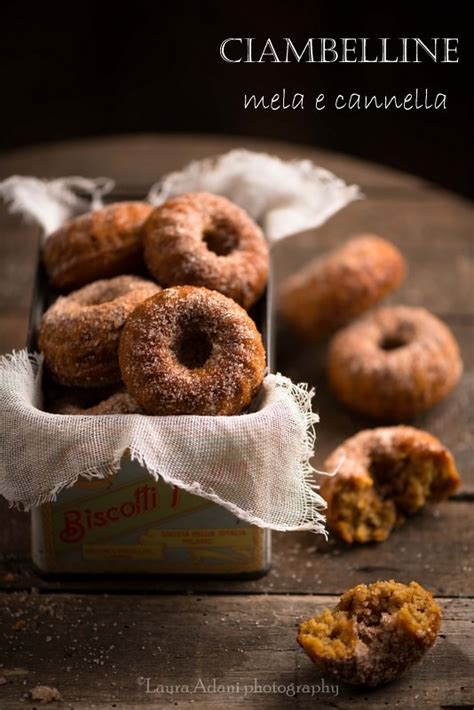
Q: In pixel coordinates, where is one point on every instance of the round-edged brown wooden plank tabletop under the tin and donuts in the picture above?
(97, 641)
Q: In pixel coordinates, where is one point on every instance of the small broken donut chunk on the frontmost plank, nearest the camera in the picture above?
(374, 634)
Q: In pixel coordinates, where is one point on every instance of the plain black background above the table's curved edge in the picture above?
(101, 68)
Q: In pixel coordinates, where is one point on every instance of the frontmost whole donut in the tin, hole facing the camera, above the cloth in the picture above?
(189, 350)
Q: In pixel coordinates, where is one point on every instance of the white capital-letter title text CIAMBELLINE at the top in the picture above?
(327, 50)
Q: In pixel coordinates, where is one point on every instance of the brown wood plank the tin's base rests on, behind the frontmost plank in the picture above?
(436, 548)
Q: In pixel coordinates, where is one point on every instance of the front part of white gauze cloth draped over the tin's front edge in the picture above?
(257, 465)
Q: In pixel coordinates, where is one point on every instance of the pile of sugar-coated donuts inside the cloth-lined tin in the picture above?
(152, 316)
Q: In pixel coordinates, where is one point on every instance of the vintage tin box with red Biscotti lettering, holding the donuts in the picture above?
(129, 523)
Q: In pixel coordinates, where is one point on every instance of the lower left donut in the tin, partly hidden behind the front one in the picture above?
(79, 334)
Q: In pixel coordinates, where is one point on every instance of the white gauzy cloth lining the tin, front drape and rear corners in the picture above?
(257, 464)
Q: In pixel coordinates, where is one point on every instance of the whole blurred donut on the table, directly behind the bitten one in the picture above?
(394, 363)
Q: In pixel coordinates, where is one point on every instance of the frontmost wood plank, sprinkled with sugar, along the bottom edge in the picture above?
(95, 651)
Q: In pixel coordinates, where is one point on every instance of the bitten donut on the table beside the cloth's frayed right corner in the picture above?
(385, 475)
